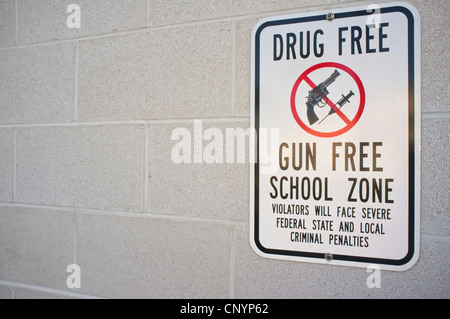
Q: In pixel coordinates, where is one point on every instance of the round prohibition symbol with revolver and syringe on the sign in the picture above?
(318, 96)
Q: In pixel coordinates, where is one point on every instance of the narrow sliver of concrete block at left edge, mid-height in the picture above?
(6, 164)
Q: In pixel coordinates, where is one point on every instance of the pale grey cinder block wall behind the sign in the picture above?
(86, 175)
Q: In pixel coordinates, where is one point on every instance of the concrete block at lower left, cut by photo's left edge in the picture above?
(36, 246)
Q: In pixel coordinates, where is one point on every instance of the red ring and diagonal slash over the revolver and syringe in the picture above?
(349, 123)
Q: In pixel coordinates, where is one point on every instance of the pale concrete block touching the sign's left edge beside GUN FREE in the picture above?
(202, 189)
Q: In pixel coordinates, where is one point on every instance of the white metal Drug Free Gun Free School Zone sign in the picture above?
(336, 109)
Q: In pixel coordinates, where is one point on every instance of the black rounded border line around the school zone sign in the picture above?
(411, 146)
